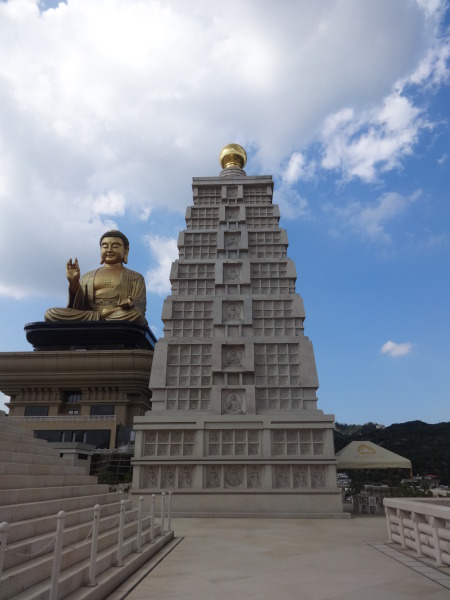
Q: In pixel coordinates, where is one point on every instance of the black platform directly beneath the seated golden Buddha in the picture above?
(89, 336)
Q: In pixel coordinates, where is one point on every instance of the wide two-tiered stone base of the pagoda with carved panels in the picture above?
(260, 466)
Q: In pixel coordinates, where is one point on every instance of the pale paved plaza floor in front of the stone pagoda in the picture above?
(285, 559)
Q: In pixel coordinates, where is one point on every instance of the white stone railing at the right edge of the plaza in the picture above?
(422, 525)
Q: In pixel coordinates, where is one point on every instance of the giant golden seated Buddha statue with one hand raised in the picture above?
(109, 293)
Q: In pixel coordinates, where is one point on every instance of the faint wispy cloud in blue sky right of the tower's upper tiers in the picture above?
(369, 221)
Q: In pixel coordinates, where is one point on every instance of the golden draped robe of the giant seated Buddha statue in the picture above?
(87, 304)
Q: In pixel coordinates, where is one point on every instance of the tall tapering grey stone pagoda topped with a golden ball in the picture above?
(234, 428)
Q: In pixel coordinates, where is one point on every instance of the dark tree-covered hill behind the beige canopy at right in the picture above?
(427, 446)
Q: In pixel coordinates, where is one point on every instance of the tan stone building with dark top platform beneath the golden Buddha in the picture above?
(83, 383)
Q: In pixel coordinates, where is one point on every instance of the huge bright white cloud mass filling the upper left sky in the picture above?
(108, 108)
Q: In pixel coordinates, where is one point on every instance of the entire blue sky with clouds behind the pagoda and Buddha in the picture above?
(109, 108)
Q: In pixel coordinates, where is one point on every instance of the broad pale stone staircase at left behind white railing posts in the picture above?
(35, 484)
